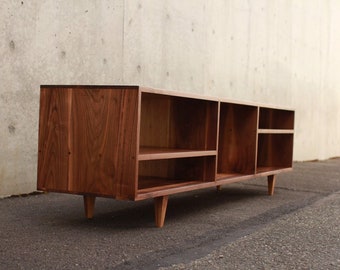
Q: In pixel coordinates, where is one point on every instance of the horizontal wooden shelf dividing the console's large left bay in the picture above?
(153, 153)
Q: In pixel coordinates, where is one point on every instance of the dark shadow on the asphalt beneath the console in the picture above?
(126, 215)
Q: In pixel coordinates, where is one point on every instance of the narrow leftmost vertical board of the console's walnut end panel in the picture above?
(53, 148)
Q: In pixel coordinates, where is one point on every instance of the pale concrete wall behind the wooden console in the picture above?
(283, 52)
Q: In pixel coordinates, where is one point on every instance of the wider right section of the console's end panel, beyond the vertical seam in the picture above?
(104, 142)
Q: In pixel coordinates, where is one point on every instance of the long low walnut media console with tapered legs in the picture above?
(135, 143)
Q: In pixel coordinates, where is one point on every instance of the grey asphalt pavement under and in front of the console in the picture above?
(240, 227)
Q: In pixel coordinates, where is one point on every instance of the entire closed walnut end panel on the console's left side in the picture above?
(88, 140)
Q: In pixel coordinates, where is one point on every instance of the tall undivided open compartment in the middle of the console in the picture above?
(237, 140)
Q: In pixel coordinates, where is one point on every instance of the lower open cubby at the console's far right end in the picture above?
(275, 152)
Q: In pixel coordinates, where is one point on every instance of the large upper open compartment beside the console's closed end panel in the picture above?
(171, 124)
